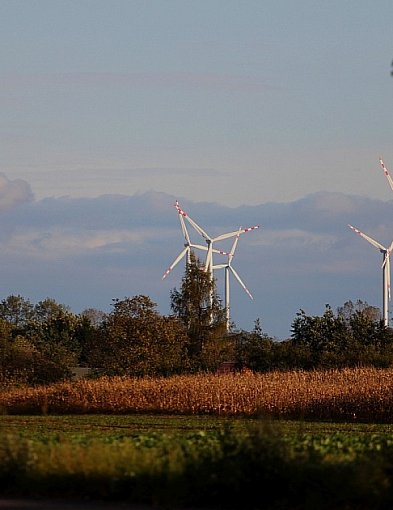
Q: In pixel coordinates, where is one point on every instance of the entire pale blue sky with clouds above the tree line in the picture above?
(267, 112)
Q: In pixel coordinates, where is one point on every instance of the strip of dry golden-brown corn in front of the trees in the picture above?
(362, 394)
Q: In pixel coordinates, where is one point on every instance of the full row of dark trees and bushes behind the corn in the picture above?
(40, 343)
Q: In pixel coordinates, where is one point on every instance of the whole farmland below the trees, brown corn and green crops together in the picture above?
(179, 442)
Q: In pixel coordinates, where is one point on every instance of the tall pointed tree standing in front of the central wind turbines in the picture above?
(198, 307)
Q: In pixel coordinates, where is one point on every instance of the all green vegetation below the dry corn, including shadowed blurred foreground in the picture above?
(237, 465)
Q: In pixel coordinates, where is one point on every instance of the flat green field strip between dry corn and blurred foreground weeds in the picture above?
(335, 441)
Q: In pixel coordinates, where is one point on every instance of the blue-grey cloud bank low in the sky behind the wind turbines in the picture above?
(84, 252)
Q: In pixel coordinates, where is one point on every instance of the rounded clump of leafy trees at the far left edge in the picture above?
(38, 343)
